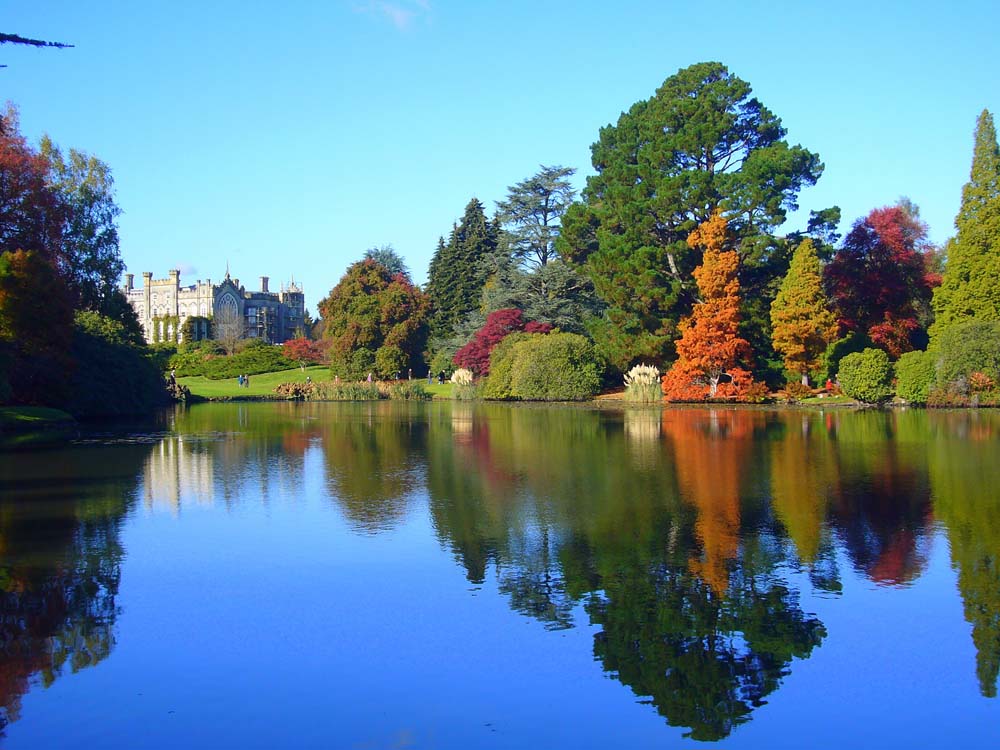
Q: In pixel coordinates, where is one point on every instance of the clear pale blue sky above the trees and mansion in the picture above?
(288, 138)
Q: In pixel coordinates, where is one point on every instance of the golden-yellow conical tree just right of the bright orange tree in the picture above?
(802, 325)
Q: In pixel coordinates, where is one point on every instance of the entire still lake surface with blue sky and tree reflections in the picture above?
(396, 575)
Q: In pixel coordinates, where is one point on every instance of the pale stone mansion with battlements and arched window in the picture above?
(163, 306)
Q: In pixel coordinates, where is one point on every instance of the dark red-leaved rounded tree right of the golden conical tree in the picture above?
(878, 280)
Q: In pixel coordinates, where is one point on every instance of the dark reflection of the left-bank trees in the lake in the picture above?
(60, 562)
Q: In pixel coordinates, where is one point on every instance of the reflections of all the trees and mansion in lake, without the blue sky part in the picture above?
(687, 539)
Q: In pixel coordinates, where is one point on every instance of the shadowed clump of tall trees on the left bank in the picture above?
(68, 337)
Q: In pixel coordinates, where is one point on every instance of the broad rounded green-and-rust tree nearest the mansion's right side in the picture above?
(371, 308)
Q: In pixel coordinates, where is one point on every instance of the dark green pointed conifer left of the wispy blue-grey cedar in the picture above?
(458, 272)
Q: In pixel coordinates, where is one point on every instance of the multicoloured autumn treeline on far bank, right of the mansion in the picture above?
(619, 264)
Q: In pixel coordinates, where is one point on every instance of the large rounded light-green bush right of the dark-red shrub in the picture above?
(554, 367)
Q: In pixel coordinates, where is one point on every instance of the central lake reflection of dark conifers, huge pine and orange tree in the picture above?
(693, 615)
